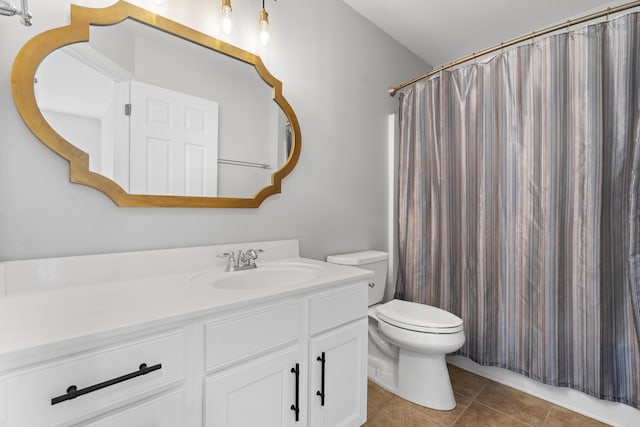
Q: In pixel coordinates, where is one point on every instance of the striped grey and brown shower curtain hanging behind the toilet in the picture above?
(519, 193)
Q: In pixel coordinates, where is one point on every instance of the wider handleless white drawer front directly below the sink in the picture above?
(252, 333)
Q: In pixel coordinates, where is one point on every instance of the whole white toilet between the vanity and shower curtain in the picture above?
(407, 341)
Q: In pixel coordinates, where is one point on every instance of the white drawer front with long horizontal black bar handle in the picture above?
(30, 393)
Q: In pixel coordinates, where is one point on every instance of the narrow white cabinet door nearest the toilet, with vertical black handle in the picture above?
(343, 381)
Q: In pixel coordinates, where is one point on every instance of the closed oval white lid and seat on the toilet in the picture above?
(419, 317)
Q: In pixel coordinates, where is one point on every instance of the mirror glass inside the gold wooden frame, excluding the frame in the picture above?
(160, 115)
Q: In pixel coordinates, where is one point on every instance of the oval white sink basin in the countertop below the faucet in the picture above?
(266, 276)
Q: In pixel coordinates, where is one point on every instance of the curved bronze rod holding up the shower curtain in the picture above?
(569, 23)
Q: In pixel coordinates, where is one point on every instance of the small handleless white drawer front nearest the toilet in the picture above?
(337, 307)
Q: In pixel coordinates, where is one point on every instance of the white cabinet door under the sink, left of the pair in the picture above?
(257, 393)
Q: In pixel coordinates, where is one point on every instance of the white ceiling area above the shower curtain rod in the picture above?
(441, 31)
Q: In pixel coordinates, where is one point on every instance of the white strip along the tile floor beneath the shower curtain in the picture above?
(613, 413)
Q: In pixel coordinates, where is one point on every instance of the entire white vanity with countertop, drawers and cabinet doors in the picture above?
(173, 351)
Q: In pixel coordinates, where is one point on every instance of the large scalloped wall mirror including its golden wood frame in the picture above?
(154, 113)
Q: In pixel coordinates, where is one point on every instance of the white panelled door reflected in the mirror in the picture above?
(174, 143)
